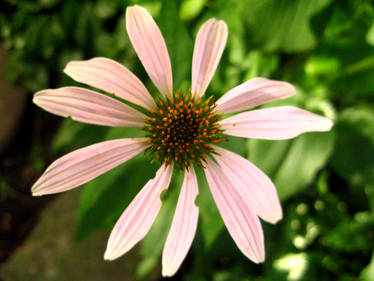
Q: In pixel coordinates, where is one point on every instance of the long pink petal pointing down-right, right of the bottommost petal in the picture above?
(240, 220)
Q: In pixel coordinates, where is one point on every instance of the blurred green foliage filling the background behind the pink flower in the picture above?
(325, 180)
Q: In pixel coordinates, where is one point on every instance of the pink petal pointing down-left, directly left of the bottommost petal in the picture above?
(139, 216)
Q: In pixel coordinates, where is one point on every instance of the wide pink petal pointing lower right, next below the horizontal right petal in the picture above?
(249, 181)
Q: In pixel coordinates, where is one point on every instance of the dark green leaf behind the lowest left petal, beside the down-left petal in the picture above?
(106, 197)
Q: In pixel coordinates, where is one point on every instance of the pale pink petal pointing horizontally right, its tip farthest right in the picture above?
(275, 123)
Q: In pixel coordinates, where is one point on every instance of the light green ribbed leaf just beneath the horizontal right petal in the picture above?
(292, 164)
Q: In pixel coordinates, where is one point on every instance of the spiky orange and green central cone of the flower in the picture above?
(182, 129)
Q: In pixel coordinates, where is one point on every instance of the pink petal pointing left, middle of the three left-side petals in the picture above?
(88, 106)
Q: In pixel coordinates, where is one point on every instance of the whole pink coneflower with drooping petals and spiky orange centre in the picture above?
(182, 130)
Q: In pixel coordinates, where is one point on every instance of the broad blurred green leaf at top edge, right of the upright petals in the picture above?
(283, 24)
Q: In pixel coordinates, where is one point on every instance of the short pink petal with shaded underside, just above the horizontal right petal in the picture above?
(252, 93)
